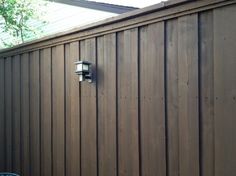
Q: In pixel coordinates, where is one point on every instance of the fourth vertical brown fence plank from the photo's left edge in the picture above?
(25, 120)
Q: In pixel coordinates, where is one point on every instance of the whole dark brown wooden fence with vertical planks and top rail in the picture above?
(163, 103)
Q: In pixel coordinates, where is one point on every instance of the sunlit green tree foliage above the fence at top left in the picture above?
(16, 18)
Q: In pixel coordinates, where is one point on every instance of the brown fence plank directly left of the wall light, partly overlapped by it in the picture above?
(72, 111)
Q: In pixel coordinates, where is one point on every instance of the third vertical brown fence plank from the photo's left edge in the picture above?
(16, 116)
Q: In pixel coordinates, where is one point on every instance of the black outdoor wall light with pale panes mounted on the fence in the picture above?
(84, 70)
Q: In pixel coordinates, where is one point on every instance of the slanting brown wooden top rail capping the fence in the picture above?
(136, 18)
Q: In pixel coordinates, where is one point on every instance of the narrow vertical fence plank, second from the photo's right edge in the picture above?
(207, 94)
